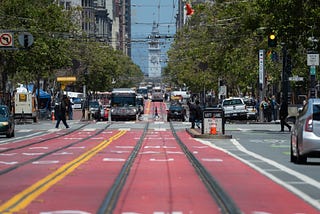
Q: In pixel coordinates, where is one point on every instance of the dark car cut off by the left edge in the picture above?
(6, 122)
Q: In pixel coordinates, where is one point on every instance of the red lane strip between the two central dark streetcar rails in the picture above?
(162, 180)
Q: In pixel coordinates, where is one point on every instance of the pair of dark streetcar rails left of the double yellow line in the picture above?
(18, 165)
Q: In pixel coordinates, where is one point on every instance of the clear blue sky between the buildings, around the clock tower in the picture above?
(143, 14)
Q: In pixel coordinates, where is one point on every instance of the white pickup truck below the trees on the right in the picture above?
(234, 108)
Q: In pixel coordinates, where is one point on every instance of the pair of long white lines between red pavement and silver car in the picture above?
(298, 175)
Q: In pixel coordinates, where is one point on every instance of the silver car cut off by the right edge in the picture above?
(305, 136)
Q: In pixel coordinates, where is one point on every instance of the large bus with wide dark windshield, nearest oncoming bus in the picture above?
(123, 104)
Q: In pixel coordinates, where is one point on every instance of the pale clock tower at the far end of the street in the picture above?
(154, 51)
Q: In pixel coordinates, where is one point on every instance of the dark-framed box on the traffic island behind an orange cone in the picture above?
(213, 121)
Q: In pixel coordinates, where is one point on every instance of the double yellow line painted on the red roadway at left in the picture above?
(24, 198)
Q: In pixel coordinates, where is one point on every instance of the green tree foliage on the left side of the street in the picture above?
(53, 50)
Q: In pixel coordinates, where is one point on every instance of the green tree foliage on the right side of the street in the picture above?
(226, 37)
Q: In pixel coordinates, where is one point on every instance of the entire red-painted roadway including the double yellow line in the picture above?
(74, 170)
